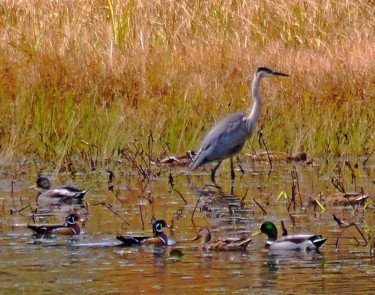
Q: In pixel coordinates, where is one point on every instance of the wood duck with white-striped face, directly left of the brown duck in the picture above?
(159, 238)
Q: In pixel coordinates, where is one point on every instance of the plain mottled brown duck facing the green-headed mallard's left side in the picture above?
(220, 245)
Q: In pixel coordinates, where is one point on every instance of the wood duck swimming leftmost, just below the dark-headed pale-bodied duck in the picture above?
(69, 227)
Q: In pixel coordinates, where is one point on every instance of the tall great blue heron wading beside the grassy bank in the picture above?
(228, 136)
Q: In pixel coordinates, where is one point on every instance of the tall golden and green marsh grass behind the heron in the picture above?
(88, 79)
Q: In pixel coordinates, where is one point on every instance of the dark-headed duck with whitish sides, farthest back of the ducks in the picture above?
(64, 195)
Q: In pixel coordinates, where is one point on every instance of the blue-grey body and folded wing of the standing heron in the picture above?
(224, 139)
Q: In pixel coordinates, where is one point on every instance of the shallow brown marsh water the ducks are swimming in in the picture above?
(96, 264)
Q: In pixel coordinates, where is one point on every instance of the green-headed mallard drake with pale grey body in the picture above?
(305, 242)
